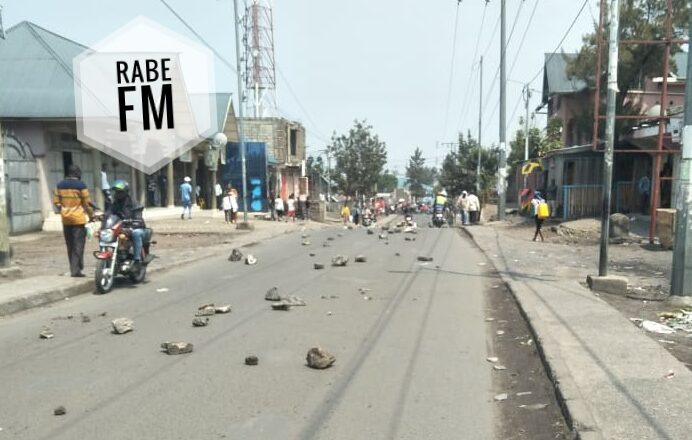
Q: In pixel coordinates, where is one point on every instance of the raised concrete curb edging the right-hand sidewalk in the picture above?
(573, 408)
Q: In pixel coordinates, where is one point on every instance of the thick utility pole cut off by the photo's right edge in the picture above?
(681, 276)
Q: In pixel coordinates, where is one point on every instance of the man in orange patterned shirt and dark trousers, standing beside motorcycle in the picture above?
(71, 198)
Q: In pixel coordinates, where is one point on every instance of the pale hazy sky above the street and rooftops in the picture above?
(386, 61)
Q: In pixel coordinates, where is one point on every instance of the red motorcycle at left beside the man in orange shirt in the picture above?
(115, 253)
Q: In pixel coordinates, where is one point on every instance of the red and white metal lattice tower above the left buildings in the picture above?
(260, 69)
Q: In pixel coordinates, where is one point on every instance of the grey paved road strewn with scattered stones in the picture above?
(410, 362)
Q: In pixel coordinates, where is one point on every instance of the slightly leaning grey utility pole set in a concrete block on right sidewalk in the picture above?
(610, 133)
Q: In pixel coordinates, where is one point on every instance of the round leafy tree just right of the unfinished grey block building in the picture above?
(360, 157)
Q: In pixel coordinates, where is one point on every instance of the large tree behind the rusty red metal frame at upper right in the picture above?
(639, 20)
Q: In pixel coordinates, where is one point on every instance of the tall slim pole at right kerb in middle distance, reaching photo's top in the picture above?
(502, 174)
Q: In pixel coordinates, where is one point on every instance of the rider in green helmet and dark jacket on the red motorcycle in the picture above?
(127, 209)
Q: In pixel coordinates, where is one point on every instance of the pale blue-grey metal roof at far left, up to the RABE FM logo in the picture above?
(36, 73)
